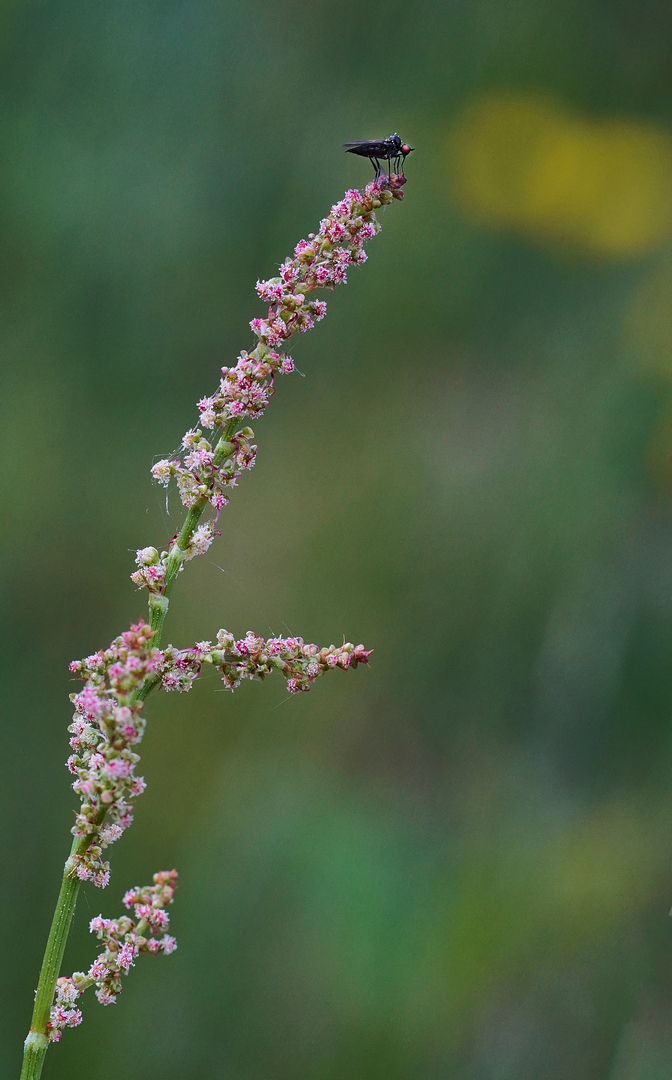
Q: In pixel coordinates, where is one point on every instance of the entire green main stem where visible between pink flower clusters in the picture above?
(37, 1042)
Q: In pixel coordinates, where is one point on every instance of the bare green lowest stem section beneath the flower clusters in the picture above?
(37, 1043)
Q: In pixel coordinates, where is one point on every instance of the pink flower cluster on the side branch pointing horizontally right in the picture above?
(253, 657)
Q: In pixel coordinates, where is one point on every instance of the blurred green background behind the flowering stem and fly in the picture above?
(456, 865)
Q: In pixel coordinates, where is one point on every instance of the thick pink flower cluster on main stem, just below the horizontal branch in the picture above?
(107, 724)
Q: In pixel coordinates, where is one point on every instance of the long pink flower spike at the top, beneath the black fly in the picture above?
(207, 472)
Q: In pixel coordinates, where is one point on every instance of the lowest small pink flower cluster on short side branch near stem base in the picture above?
(124, 939)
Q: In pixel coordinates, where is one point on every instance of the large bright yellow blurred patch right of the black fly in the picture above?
(526, 164)
